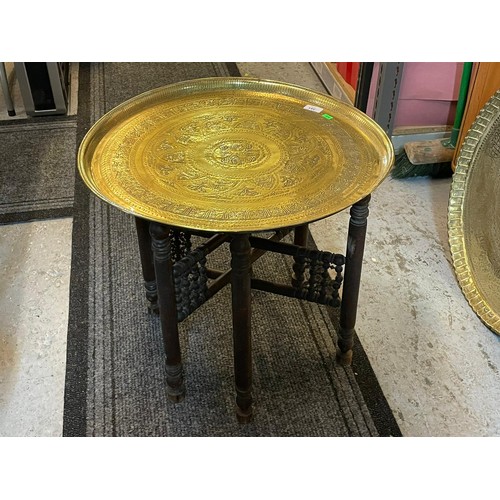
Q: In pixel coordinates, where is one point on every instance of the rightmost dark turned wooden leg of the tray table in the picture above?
(352, 278)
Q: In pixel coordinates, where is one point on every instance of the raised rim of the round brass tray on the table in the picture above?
(293, 90)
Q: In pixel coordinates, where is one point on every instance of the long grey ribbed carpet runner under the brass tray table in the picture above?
(115, 382)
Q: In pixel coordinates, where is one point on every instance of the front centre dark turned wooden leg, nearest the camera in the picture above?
(241, 305)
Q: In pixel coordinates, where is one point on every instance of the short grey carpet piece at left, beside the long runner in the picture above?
(37, 169)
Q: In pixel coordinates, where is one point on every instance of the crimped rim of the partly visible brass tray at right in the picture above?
(465, 277)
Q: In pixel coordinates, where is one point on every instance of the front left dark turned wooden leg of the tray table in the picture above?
(168, 311)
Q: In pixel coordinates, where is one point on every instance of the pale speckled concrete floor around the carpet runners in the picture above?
(437, 364)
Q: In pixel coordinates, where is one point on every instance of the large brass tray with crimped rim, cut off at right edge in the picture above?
(474, 215)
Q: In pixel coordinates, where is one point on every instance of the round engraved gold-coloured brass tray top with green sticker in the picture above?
(234, 155)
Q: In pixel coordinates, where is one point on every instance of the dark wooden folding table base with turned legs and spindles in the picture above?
(155, 246)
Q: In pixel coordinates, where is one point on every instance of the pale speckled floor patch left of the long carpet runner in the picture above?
(35, 262)
